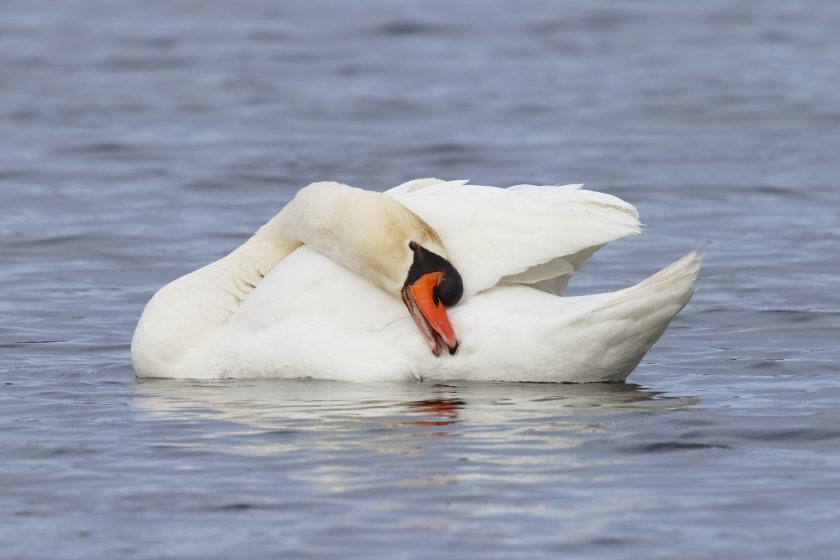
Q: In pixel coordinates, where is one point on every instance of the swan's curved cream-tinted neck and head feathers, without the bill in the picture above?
(366, 232)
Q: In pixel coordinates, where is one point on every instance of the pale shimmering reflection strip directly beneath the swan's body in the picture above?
(400, 410)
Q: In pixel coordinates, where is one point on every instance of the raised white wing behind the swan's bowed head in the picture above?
(528, 234)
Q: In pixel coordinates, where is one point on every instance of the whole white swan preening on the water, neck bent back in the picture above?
(331, 309)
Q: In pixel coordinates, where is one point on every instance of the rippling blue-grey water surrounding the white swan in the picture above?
(139, 141)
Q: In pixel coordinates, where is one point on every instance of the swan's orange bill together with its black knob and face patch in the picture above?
(431, 285)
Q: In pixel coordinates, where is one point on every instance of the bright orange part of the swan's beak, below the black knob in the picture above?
(429, 314)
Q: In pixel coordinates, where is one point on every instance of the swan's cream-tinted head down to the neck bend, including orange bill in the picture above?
(378, 238)
